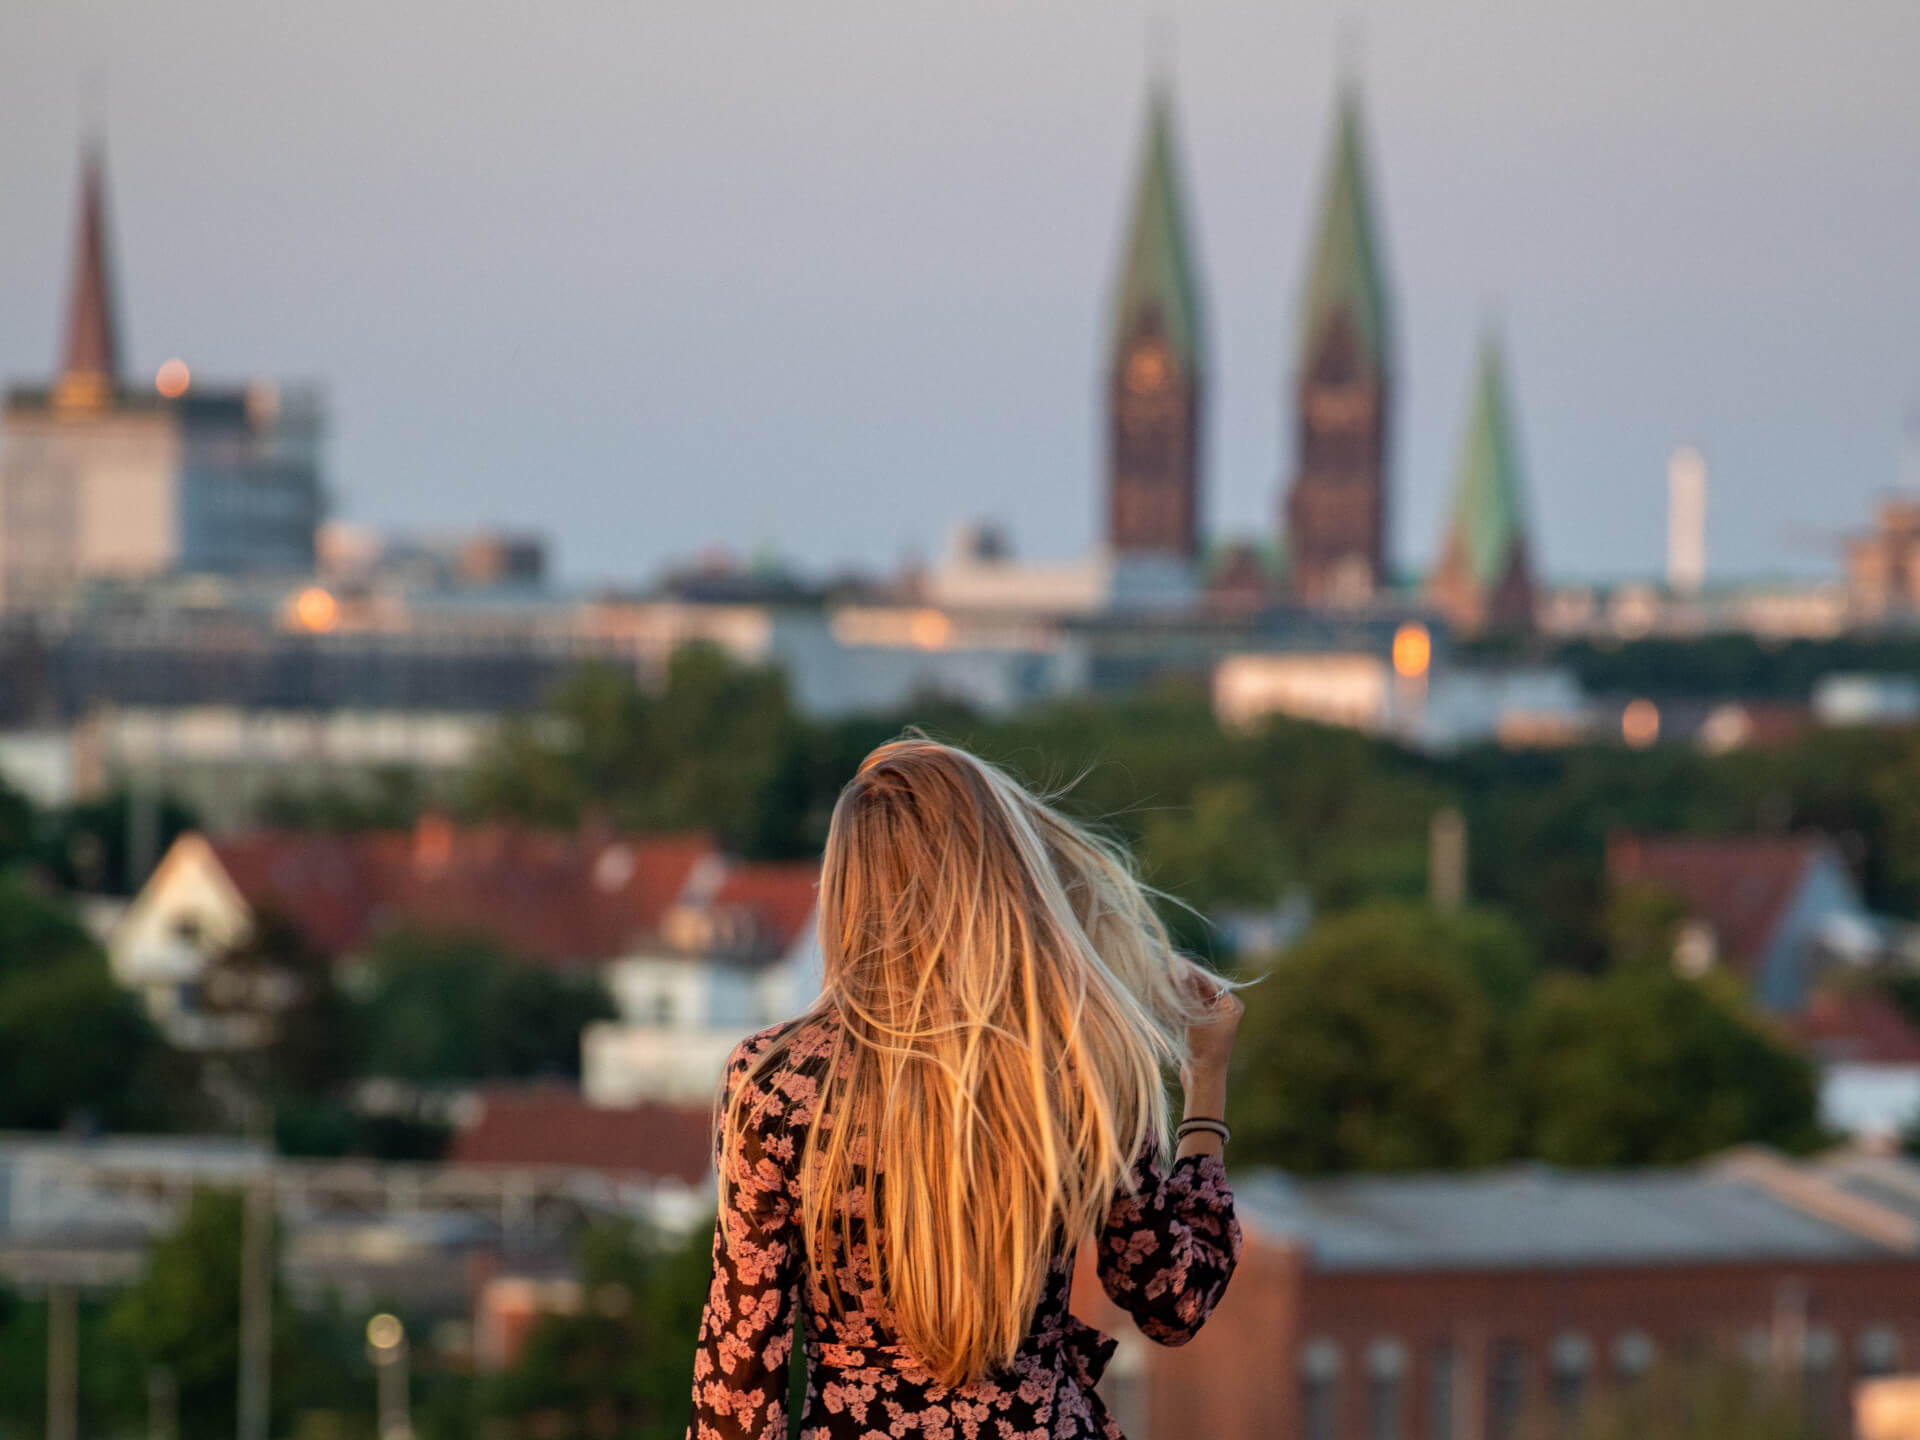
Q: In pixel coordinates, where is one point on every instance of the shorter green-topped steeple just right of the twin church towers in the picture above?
(1485, 573)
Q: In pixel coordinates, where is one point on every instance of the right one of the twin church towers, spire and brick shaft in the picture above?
(1337, 506)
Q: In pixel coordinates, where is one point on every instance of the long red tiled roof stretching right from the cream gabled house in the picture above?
(546, 896)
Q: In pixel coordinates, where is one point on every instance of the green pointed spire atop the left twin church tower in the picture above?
(1157, 277)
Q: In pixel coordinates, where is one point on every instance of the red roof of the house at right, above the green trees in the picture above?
(1737, 886)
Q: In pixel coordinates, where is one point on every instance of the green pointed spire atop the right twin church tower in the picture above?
(1347, 272)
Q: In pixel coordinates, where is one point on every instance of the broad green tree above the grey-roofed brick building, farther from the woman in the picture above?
(1648, 1068)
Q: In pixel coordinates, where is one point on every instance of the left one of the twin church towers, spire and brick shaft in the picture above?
(1155, 383)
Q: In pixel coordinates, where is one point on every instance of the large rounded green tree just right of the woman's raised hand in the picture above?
(1376, 1045)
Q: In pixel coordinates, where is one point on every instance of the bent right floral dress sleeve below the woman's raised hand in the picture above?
(1170, 1245)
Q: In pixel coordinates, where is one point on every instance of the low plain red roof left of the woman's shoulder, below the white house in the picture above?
(540, 1126)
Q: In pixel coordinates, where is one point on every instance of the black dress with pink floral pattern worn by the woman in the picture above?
(1164, 1255)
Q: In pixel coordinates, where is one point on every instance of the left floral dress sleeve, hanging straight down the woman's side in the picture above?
(740, 1368)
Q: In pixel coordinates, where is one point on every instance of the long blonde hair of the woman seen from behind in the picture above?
(1005, 1005)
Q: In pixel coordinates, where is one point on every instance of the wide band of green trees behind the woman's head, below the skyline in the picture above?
(1216, 817)
